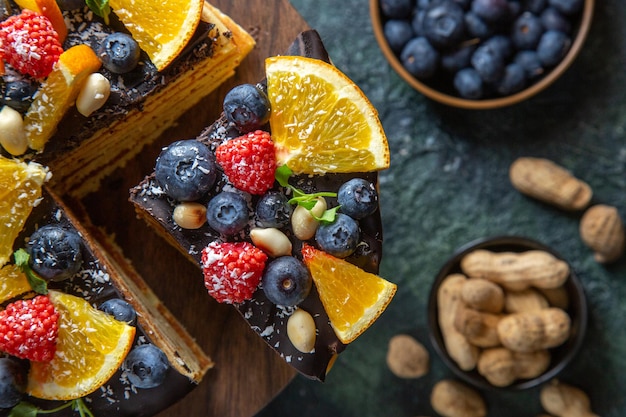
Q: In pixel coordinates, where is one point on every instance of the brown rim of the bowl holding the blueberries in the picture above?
(489, 103)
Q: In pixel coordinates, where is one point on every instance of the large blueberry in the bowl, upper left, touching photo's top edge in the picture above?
(444, 23)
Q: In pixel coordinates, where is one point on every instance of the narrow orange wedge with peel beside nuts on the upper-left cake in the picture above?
(58, 93)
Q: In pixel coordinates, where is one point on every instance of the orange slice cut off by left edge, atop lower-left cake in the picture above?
(20, 190)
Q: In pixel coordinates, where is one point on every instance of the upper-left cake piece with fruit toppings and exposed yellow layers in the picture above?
(119, 77)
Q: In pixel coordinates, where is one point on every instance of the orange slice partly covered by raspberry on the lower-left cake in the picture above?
(91, 346)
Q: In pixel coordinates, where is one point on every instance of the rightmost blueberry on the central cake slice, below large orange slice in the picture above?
(358, 198)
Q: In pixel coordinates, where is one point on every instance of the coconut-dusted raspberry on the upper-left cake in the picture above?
(29, 43)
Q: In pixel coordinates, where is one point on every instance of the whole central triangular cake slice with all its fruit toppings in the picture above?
(277, 203)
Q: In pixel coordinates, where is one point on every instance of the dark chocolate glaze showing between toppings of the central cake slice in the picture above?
(268, 319)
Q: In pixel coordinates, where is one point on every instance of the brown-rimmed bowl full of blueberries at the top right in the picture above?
(480, 54)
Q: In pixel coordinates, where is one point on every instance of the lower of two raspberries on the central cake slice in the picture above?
(232, 271)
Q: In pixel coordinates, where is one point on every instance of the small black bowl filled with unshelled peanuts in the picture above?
(506, 313)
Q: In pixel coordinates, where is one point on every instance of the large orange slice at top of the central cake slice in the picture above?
(321, 121)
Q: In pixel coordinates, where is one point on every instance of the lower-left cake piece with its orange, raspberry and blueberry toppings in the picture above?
(103, 342)
